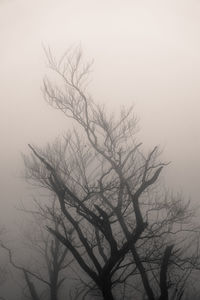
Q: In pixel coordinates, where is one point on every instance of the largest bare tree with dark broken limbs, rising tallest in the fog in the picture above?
(106, 186)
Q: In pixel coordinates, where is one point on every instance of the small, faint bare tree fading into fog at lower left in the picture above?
(47, 250)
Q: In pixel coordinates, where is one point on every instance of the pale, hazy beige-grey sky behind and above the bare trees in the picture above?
(146, 52)
